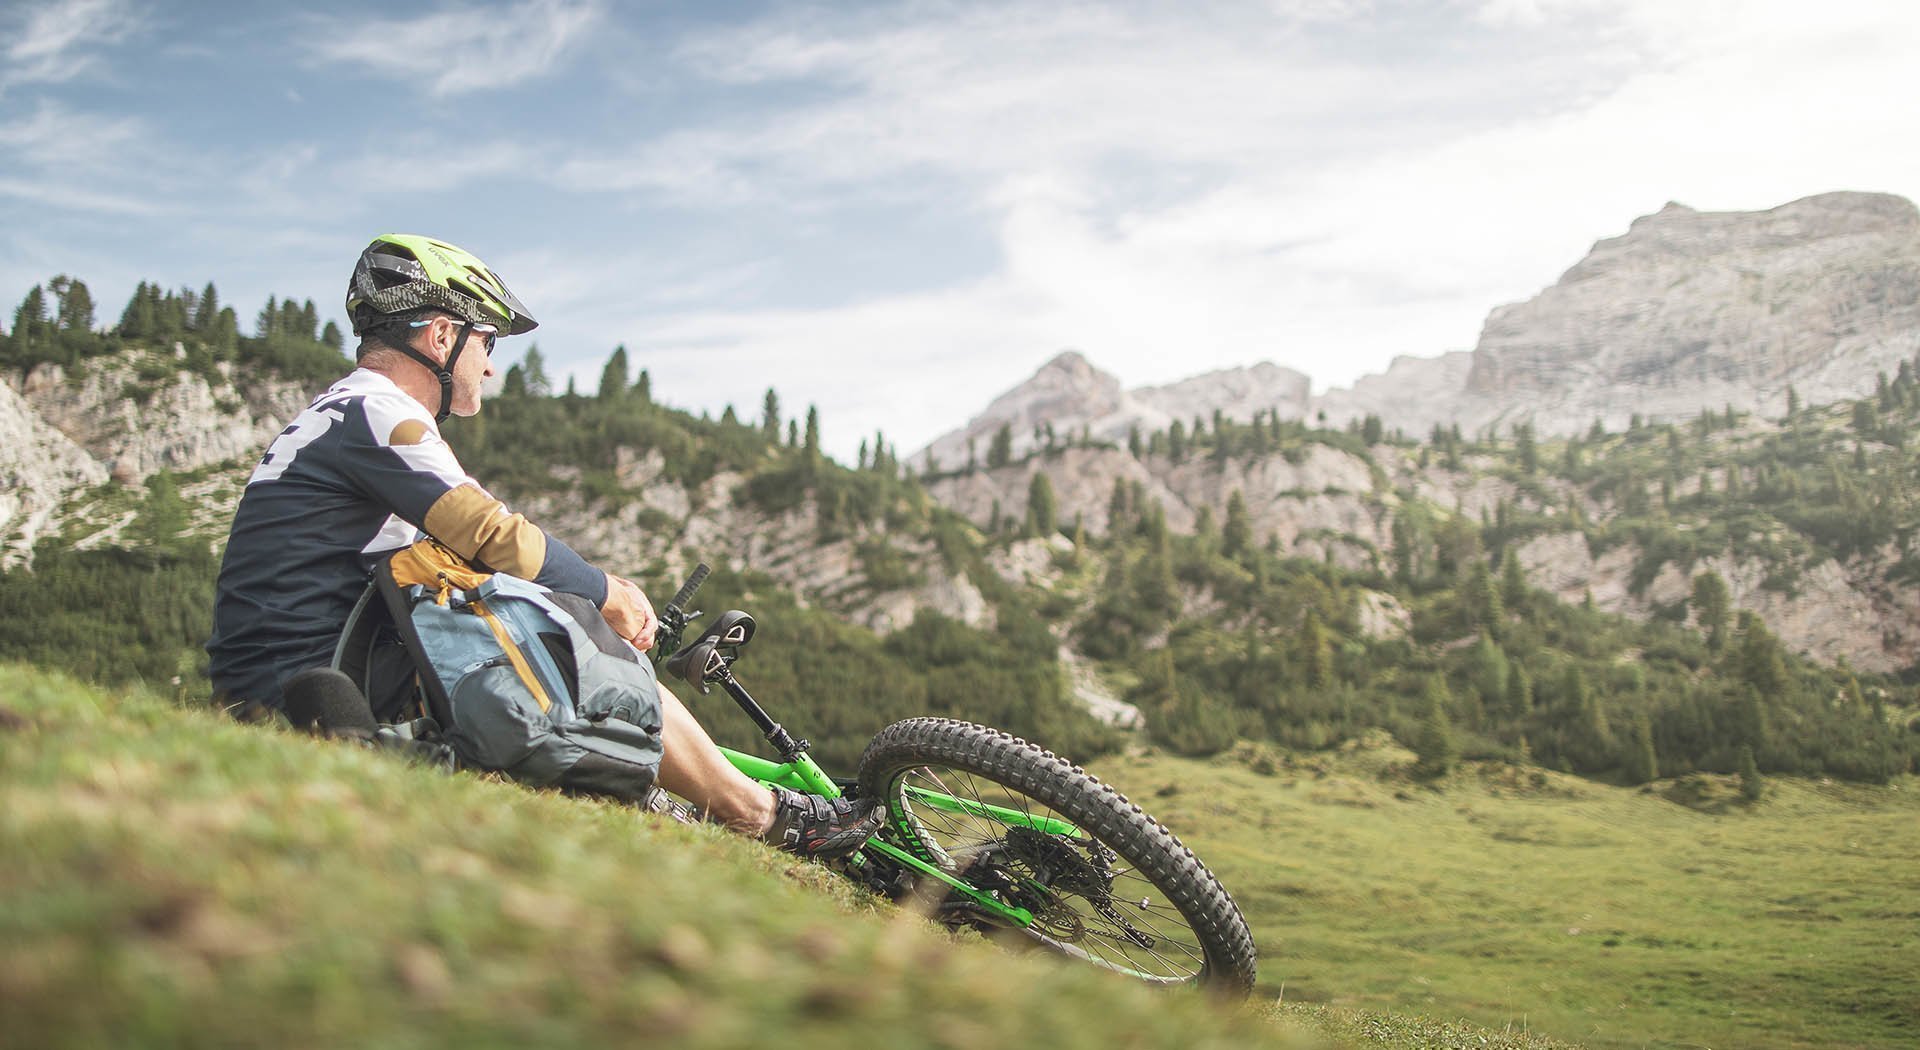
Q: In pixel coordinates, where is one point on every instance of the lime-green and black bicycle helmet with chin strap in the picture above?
(404, 274)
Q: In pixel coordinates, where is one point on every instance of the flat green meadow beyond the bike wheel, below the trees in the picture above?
(1537, 903)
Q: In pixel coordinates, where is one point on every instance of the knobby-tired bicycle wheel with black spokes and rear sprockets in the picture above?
(1105, 882)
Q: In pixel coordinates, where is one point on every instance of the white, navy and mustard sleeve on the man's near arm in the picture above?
(404, 464)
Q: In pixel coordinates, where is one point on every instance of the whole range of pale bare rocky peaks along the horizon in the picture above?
(1679, 314)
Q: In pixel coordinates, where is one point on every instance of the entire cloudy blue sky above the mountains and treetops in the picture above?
(900, 210)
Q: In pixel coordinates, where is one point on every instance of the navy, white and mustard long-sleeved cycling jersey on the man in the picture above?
(360, 473)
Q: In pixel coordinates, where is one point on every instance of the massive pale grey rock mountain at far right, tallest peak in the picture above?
(1696, 310)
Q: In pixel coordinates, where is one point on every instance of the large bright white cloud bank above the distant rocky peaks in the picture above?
(1305, 203)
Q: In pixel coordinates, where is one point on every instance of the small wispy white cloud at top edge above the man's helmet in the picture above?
(460, 51)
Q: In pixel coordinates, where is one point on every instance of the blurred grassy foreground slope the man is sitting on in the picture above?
(181, 880)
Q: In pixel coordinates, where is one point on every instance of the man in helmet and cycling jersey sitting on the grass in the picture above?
(364, 473)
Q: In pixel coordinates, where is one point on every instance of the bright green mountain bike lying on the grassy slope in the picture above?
(994, 834)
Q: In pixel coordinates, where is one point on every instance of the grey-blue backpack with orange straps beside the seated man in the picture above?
(523, 680)
